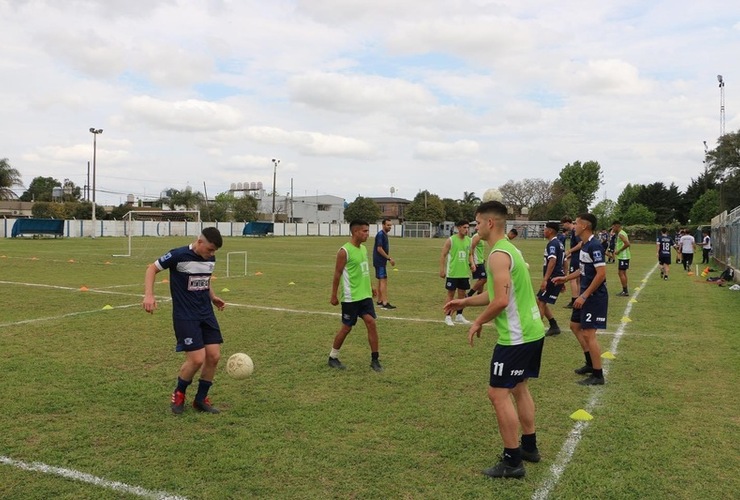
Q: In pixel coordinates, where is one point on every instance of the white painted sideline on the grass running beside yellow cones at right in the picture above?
(569, 447)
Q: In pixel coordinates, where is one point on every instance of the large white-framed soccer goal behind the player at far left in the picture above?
(156, 223)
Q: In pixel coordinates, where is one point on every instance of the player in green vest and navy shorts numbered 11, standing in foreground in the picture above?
(511, 305)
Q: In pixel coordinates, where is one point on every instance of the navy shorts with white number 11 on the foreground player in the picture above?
(512, 364)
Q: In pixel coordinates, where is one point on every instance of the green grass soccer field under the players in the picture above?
(86, 389)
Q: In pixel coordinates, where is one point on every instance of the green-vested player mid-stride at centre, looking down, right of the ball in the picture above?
(352, 272)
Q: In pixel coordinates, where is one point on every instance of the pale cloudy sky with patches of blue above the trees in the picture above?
(363, 98)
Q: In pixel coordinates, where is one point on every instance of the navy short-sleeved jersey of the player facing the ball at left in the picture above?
(190, 282)
